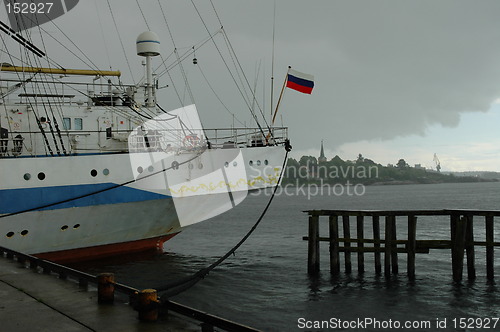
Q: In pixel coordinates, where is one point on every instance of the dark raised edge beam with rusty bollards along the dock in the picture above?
(208, 321)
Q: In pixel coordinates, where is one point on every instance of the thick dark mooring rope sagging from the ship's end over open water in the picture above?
(181, 285)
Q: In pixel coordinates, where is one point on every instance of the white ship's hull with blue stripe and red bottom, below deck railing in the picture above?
(113, 218)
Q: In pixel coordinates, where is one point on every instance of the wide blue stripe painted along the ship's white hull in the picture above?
(16, 200)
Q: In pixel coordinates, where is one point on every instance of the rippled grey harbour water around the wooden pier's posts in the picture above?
(265, 285)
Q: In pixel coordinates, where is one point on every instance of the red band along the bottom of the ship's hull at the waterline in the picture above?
(105, 251)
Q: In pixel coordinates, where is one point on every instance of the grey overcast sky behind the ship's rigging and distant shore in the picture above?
(393, 79)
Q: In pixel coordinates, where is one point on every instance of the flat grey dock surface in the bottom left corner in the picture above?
(34, 301)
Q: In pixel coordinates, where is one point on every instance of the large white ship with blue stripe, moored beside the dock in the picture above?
(92, 167)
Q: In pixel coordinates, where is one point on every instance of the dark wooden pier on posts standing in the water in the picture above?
(463, 223)
